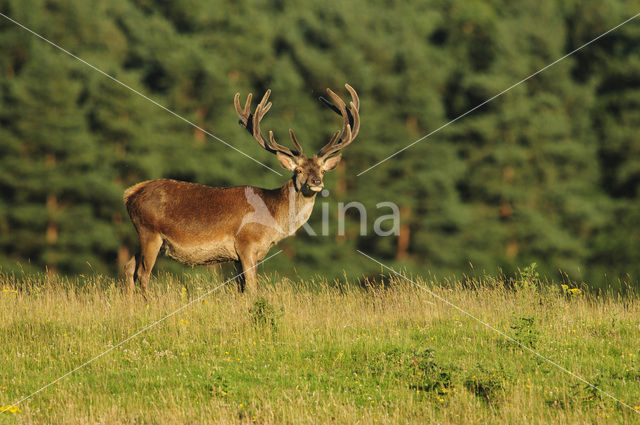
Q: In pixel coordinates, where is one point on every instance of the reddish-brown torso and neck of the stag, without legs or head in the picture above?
(200, 224)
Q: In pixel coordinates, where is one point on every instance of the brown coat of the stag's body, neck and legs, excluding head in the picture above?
(199, 224)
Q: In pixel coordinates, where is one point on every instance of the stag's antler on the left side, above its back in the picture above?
(252, 123)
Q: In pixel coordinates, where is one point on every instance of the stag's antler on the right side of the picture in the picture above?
(351, 127)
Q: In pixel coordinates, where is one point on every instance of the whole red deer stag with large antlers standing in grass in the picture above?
(199, 224)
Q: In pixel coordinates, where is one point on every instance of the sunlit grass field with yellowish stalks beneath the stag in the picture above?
(316, 353)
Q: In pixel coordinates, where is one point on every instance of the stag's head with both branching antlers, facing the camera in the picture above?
(308, 172)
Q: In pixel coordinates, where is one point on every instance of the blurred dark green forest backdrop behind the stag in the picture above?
(548, 173)
